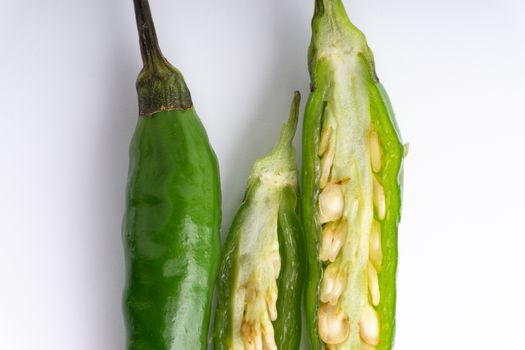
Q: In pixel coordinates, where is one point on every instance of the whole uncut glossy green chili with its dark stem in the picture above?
(172, 220)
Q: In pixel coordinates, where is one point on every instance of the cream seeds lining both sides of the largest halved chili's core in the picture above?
(333, 321)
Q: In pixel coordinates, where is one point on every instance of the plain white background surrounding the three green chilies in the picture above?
(455, 74)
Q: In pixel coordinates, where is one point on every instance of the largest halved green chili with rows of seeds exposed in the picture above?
(352, 166)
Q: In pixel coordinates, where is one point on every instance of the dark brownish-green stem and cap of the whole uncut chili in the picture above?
(160, 86)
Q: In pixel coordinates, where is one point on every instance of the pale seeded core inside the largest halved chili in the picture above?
(351, 206)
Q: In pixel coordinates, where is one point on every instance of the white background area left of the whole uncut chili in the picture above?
(68, 74)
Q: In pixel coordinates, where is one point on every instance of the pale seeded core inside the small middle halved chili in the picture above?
(259, 265)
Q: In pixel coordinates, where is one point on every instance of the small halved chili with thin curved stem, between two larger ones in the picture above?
(260, 278)
